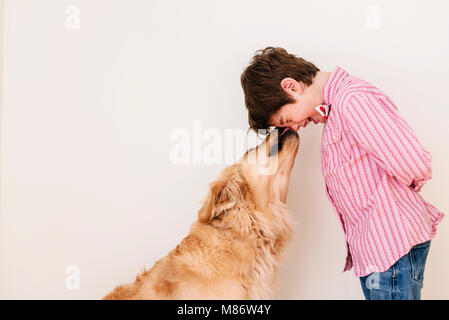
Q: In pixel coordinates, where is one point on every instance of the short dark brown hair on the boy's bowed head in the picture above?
(261, 82)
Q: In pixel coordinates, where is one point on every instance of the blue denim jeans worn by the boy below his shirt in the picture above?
(404, 279)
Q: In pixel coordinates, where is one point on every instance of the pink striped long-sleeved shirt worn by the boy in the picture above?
(372, 164)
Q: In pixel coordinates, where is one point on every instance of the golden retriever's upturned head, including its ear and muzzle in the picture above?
(259, 178)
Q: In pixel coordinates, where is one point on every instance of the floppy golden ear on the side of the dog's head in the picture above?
(224, 193)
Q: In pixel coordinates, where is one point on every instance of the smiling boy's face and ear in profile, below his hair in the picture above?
(302, 111)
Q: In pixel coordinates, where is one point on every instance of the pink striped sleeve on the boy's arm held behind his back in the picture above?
(376, 124)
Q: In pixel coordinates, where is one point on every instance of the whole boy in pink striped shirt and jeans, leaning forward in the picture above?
(372, 163)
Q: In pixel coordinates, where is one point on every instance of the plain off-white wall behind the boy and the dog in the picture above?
(86, 115)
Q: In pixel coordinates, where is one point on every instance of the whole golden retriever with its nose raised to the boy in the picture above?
(235, 247)
